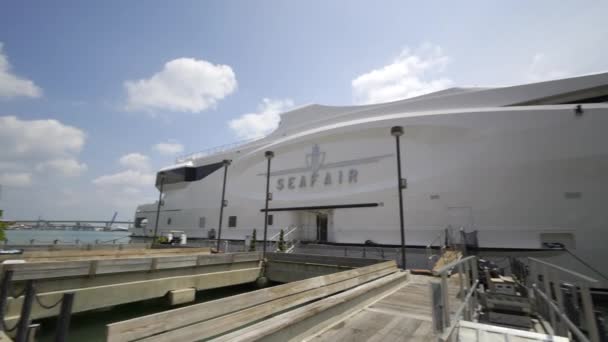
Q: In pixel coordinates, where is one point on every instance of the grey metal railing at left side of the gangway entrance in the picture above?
(443, 323)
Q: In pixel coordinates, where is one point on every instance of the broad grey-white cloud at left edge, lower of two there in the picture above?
(41, 146)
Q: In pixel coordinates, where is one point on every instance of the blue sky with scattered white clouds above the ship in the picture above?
(88, 89)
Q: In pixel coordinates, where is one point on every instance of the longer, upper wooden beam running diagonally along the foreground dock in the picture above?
(220, 316)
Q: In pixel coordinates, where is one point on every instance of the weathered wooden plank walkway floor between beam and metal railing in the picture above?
(403, 315)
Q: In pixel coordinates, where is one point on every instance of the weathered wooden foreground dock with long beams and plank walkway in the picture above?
(372, 303)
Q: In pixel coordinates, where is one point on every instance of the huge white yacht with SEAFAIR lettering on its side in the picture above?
(524, 166)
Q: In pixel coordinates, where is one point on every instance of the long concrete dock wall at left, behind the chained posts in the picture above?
(99, 283)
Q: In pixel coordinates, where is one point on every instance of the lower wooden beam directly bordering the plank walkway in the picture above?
(307, 320)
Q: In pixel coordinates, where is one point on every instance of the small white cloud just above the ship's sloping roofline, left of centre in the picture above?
(262, 122)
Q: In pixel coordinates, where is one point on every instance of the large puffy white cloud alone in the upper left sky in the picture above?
(183, 85)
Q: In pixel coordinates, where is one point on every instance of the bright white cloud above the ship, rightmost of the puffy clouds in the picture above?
(409, 75)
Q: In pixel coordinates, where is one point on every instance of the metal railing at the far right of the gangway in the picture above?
(546, 281)
